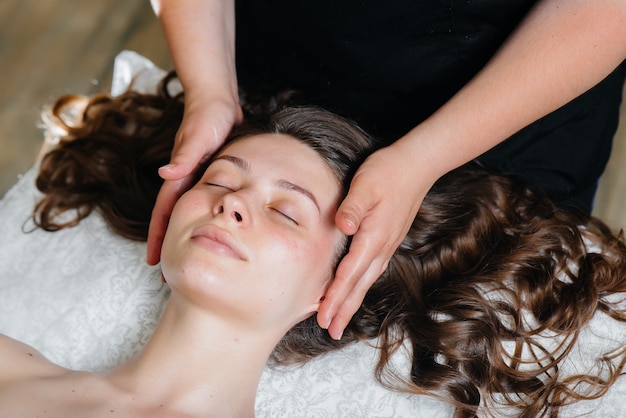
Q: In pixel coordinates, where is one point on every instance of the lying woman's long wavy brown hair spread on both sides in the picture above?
(487, 268)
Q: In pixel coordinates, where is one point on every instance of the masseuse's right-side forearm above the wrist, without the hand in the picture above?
(563, 48)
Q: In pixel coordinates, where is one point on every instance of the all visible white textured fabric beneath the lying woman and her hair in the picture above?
(86, 299)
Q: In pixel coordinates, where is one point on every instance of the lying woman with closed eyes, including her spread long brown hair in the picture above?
(489, 290)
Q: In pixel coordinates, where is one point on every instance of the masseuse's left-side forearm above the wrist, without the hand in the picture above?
(201, 38)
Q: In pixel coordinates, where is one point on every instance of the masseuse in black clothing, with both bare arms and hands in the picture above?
(441, 82)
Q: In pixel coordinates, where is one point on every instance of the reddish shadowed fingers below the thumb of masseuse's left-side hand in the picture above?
(170, 191)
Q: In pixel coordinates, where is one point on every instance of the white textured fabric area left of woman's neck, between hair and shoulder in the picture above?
(82, 296)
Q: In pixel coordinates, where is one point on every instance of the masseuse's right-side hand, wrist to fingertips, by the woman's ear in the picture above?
(383, 200)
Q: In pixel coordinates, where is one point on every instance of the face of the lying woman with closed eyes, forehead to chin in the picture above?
(255, 238)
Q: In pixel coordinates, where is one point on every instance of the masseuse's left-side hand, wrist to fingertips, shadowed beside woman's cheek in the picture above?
(206, 123)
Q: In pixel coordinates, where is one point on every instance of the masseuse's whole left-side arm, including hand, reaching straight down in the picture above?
(201, 39)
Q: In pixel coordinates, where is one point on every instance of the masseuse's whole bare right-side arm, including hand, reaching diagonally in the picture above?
(562, 48)
